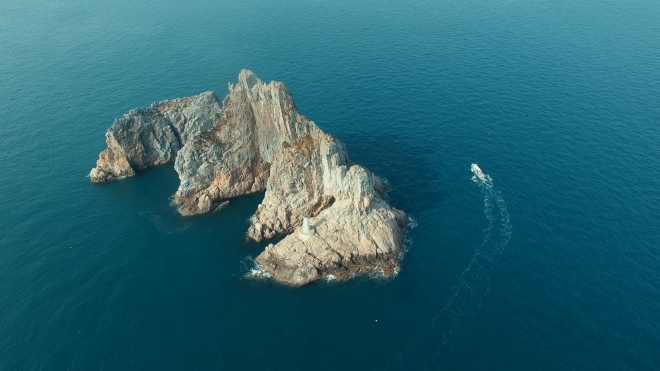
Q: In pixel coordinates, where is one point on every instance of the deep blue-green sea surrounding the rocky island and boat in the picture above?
(559, 101)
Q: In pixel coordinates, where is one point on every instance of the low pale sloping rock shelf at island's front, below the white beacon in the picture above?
(346, 243)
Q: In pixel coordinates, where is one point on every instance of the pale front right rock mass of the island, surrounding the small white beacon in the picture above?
(356, 231)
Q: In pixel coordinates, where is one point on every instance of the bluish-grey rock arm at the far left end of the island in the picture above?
(152, 136)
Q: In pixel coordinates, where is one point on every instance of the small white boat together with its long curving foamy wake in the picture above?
(473, 284)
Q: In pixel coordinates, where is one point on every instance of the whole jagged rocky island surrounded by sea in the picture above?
(256, 140)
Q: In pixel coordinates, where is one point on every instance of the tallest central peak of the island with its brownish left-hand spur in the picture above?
(233, 157)
